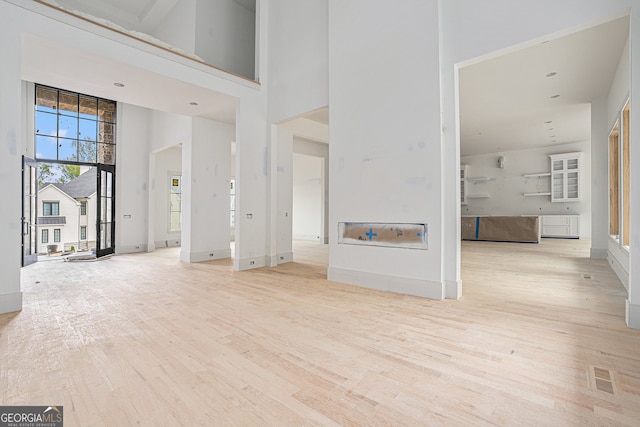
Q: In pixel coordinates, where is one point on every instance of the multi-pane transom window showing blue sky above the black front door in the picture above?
(72, 127)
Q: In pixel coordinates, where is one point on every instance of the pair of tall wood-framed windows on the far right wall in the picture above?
(619, 179)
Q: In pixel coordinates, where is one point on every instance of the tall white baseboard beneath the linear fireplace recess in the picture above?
(381, 282)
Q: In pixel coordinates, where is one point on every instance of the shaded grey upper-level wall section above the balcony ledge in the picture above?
(225, 36)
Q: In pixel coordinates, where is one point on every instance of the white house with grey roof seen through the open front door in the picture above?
(67, 215)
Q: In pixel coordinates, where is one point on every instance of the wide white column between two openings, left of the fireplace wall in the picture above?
(206, 172)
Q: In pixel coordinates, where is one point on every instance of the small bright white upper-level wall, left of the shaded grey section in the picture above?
(178, 27)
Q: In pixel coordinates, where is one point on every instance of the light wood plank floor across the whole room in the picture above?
(147, 340)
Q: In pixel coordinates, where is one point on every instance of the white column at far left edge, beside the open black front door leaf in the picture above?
(11, 151)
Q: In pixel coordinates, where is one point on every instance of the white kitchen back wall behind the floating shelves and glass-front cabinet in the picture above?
(506, 186)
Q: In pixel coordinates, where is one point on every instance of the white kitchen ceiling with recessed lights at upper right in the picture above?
(505, 102)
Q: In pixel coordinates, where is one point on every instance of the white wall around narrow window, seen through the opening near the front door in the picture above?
(167, 162)
